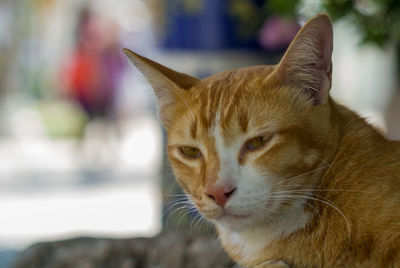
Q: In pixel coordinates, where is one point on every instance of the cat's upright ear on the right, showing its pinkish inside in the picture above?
(307, 62)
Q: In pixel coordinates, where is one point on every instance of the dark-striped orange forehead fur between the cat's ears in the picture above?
(228, 97)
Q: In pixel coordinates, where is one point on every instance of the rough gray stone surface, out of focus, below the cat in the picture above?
(169, 250)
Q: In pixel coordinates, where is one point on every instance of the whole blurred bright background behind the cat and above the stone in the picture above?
(81, 149)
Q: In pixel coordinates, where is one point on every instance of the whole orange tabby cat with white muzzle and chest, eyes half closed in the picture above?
(288, 177)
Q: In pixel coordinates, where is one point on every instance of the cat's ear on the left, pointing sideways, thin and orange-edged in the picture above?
(168, 85)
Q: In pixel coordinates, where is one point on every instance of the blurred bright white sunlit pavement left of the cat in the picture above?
(105, 186)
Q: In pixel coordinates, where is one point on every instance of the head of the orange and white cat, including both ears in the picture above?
(240, 141)
